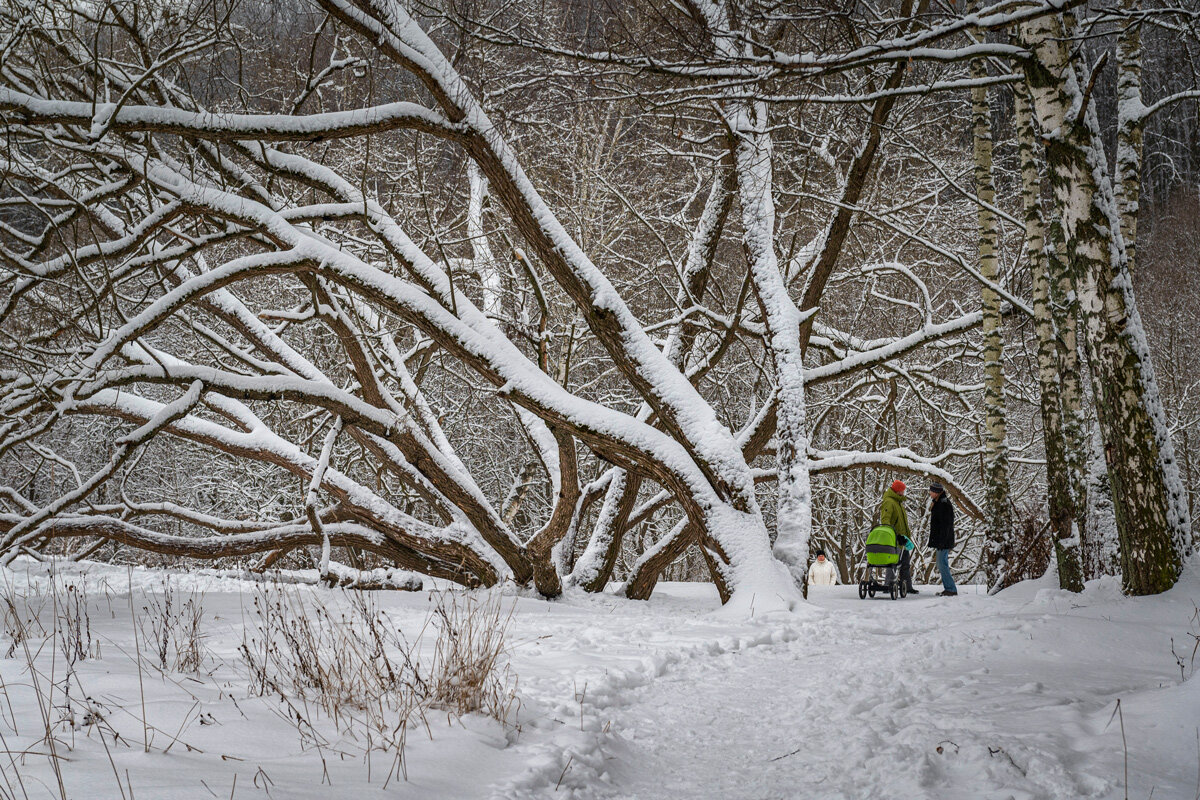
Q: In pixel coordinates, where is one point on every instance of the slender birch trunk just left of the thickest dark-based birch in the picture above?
(1061, 503)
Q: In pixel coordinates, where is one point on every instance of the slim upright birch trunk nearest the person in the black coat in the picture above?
(997, 464)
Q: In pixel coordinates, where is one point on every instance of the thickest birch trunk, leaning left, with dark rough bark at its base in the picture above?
(1149, 500)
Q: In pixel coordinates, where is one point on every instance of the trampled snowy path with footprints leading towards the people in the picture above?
(859, 708)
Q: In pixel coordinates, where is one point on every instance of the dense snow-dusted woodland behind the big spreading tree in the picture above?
(626, 157)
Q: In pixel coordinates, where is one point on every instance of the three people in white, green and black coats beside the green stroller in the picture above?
(893, 514)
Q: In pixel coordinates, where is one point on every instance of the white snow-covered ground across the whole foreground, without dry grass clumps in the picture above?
(973, 697)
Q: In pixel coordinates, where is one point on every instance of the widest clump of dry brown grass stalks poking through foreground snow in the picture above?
(359, 670)
